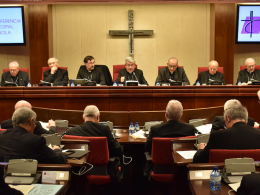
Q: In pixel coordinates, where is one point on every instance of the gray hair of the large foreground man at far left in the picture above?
(22, 116)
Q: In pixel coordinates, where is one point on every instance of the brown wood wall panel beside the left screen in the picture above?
(39, 40)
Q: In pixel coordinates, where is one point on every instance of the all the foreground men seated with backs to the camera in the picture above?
(22, 138)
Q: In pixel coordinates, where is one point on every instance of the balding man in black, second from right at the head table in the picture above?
(211, 75)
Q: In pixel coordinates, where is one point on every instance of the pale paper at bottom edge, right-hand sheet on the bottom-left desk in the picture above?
(45, 189)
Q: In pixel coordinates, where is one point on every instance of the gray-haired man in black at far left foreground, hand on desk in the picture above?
(20, 142)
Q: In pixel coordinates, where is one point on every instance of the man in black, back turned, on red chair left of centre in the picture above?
(92, 128)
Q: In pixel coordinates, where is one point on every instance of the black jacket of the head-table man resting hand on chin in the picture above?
(61, 76)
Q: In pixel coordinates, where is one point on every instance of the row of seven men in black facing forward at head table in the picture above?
(59, 77)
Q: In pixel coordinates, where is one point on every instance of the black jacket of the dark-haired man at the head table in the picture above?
(97, 75)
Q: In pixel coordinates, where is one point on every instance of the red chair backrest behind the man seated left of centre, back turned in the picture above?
(99, 154)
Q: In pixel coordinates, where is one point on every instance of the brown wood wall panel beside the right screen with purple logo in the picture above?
(225, 38)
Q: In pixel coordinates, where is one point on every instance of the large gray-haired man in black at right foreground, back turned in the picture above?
(237, 136)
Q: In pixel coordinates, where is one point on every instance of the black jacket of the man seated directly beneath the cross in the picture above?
(138, 73)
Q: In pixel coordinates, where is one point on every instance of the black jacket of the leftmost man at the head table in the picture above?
(22, 78)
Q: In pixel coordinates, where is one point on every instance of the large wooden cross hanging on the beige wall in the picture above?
(131, 32)
